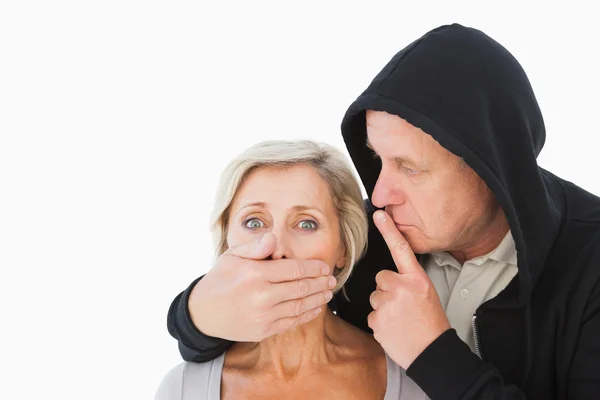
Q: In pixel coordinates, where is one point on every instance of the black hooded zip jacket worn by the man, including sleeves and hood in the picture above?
(540, 337)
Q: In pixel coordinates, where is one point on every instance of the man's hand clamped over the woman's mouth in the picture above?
(245, 298)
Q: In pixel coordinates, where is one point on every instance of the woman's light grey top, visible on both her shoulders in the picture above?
(202, 381)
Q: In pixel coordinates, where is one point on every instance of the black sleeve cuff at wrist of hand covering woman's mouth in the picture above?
(193, 344)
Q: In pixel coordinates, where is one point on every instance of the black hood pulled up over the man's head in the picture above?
(472, 96)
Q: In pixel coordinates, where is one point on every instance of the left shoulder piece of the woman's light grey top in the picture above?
(190, 380)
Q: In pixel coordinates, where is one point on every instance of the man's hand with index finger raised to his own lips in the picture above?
(408, 315)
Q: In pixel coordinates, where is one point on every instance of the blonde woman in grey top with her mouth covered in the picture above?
(305, 195)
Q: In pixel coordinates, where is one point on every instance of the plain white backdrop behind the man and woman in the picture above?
(116, 118)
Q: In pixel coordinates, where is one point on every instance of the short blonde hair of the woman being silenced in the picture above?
(331, 166)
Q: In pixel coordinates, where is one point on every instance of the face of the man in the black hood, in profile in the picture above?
(437, 202)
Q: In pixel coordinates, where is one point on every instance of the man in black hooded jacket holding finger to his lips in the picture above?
(482, 276)
